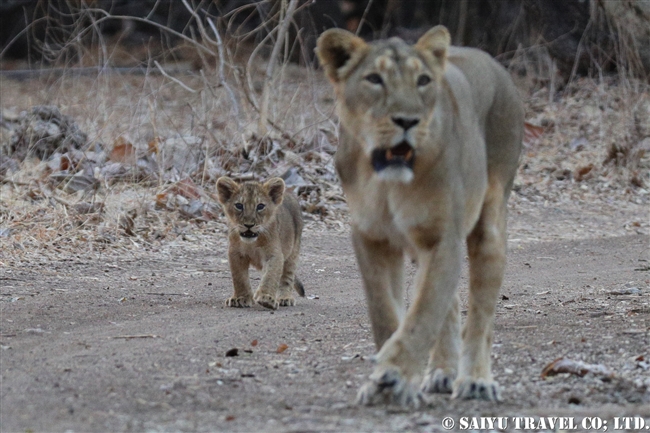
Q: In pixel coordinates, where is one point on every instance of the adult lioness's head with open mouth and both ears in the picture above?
(387, 93)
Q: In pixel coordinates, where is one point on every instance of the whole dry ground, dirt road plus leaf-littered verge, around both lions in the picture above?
(114, 320)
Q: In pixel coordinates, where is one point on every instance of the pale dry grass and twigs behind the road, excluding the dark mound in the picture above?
(594, 150)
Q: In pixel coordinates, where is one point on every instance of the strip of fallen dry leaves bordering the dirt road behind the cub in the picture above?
(139, 178)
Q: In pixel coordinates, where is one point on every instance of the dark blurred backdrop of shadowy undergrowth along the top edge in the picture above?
(571, 37)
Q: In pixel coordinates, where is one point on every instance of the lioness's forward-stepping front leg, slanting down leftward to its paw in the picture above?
(403, 355)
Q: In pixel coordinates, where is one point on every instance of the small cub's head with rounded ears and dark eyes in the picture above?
(251, 206)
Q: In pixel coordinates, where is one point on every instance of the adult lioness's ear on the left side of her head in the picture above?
(337, 48)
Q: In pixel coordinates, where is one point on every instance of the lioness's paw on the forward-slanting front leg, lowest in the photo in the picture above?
(389, 386)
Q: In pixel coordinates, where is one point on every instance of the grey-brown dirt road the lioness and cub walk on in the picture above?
(124, 341)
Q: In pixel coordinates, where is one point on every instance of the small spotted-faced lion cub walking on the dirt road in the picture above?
(265, 225)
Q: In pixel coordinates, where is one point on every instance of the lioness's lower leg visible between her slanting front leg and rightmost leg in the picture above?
(443, 361)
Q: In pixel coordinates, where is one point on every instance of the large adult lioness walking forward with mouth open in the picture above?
(430, 137)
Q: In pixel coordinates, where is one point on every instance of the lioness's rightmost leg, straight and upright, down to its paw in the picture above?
(486, 247)
